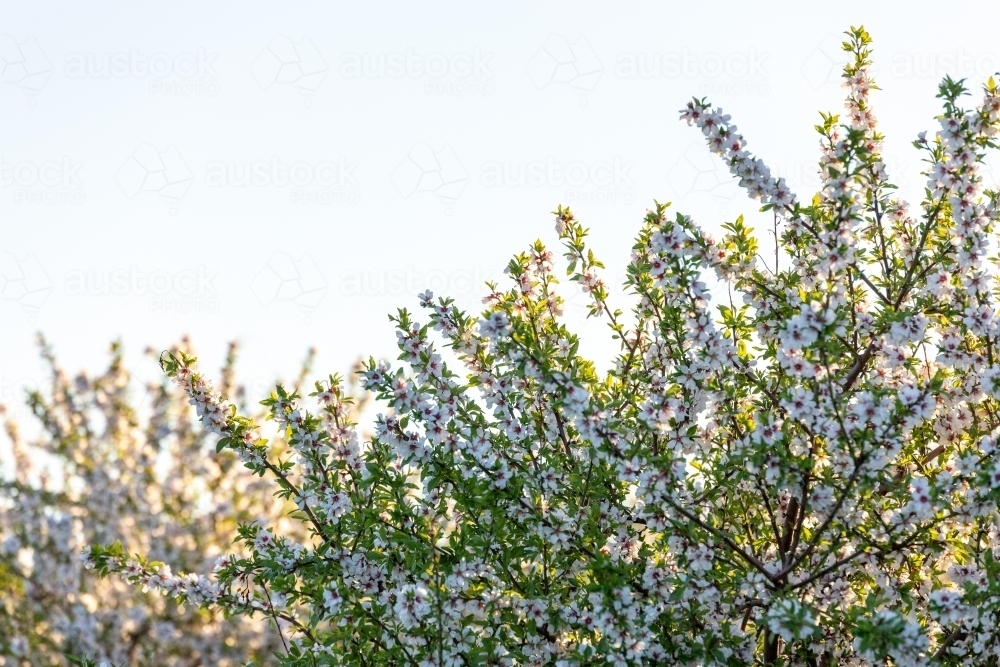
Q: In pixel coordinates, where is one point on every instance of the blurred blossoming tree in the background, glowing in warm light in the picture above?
(106, 466)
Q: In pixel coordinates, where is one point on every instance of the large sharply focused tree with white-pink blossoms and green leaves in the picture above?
(804, 474)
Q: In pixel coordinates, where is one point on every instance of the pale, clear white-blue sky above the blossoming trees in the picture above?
(287, 174)
